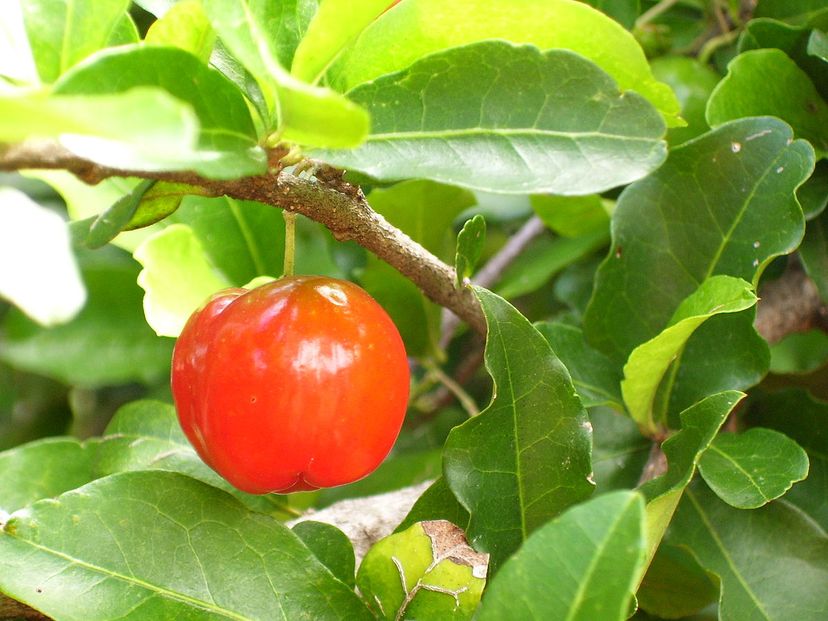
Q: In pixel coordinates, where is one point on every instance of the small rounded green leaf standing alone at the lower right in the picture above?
(748, 470)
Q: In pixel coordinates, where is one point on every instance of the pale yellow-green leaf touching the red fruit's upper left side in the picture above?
(177, 277)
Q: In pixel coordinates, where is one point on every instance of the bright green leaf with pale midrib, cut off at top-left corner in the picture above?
(64, 32)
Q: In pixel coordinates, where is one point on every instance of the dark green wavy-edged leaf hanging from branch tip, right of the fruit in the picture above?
(526, 457)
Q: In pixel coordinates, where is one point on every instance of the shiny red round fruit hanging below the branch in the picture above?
(299, 384)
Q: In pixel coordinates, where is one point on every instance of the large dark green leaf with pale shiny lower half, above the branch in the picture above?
(547, 122)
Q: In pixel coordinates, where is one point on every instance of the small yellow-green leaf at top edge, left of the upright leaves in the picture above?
(184, 26)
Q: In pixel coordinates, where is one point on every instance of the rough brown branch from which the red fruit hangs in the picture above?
(326, 198)
